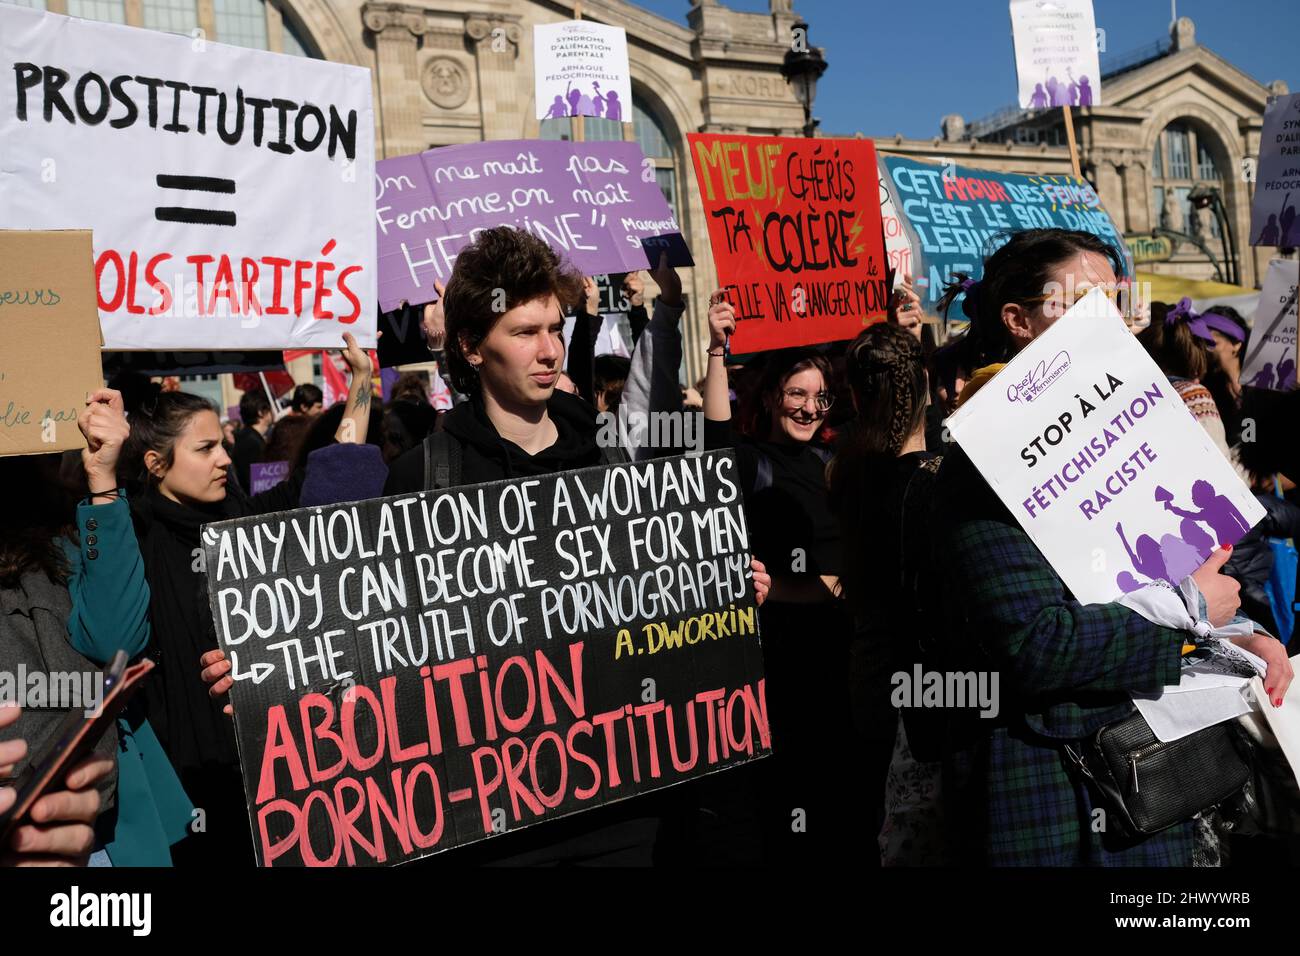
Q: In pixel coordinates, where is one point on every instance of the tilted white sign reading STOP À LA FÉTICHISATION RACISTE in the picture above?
(1094, 452)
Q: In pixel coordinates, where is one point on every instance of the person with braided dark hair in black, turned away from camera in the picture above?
(882, 491)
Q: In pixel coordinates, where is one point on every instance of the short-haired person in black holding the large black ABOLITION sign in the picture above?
(517, 423)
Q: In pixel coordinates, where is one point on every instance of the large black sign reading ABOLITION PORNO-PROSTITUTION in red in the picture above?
(418, 673)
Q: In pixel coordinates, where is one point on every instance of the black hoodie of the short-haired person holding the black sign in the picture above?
(488, 457)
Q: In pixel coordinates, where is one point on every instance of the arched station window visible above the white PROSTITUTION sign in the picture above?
(255, 24)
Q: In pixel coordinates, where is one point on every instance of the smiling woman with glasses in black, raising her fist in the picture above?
(805, 631)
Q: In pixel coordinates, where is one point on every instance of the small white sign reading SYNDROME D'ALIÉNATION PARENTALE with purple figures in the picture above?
(582, 70)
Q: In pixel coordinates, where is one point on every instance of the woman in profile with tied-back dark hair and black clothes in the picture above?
(176, 444)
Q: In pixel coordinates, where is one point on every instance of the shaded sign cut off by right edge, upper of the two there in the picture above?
(1275, 220)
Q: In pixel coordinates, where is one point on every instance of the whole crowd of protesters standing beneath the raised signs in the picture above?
(877, 544)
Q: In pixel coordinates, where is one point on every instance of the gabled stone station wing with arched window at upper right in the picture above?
(1177, 116)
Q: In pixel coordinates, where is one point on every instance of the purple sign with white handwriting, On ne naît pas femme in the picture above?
(588, 201)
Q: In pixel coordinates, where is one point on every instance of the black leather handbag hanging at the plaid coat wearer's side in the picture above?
(1151, 786)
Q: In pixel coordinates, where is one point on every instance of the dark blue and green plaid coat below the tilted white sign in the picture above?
(1065, 669)
